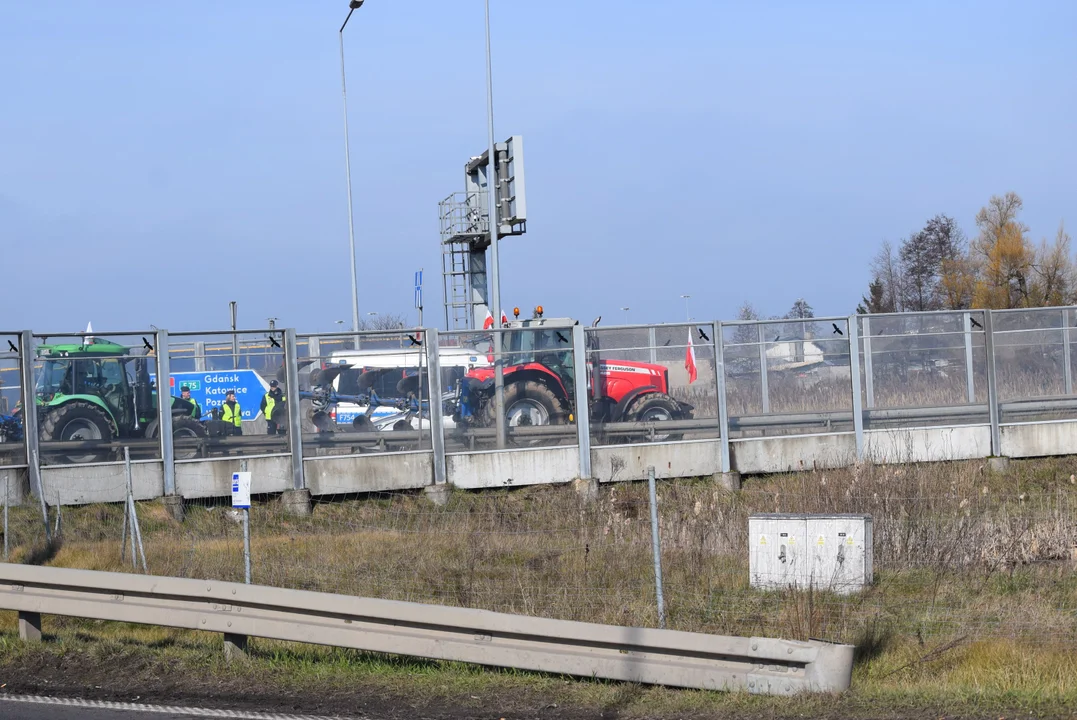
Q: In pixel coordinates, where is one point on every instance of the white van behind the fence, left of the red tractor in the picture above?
(396, 365)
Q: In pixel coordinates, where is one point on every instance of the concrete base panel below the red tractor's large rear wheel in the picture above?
(510, 469)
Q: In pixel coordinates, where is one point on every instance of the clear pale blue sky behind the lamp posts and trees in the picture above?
(160, 160)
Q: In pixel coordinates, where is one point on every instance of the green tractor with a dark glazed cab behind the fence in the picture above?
(99, 391)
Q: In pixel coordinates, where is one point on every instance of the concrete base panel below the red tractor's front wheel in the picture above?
(670, 460)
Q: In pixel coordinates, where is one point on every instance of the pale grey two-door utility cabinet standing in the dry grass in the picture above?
(822, 552)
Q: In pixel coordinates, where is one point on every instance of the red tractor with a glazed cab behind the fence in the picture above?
(541, 385)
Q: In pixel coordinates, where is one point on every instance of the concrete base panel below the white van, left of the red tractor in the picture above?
(368, 474)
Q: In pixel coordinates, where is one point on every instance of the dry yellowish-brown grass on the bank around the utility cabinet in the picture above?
(975, 594)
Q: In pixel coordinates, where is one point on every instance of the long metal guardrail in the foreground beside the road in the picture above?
(635, 655)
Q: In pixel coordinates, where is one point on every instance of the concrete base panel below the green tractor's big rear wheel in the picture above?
(107, 483)
